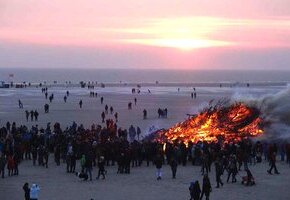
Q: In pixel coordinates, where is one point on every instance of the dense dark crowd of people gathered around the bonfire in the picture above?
(111, 145)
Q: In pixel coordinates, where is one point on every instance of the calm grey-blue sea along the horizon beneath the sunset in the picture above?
(144, 76)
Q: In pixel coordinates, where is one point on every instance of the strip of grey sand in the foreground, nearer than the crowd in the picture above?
(141, 184)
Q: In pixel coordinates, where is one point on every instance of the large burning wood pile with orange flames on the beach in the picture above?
(221, 122)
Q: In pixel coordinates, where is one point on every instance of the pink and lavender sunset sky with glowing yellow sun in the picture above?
(145, 34)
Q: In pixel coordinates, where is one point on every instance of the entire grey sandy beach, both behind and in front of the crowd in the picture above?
(141, 183)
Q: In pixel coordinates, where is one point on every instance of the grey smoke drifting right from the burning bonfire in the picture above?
(275, 111)
